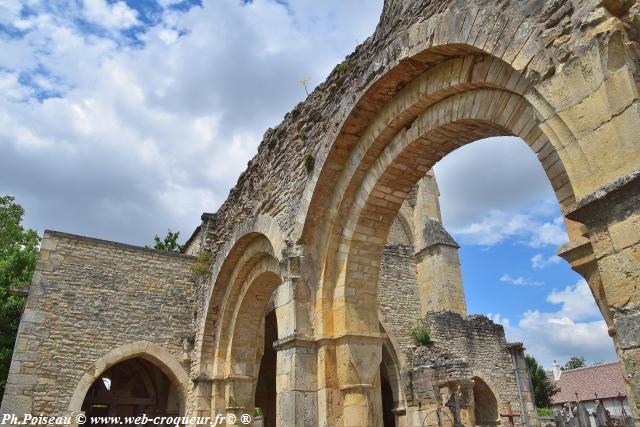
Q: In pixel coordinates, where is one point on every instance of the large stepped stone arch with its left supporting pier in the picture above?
(459, 82)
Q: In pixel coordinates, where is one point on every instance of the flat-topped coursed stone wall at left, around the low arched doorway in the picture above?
(87, 298)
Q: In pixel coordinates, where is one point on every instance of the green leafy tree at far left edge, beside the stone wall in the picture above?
(18, 255)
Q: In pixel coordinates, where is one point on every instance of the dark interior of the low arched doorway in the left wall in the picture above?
(132, 388)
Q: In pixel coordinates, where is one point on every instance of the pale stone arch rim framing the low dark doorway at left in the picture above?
(148, 351)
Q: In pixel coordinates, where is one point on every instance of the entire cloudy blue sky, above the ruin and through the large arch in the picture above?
(122, 119)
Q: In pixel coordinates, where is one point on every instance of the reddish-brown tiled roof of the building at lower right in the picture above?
(605, 380)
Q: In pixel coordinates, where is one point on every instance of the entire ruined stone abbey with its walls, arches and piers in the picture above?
(325, 213)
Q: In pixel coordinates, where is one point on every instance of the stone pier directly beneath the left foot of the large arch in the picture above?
(358, 359)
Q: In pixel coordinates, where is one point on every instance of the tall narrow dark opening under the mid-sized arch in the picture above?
(265, 399)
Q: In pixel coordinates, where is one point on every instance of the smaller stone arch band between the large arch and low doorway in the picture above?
(250, 241)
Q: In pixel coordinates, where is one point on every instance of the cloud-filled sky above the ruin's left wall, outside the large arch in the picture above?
(120, 121)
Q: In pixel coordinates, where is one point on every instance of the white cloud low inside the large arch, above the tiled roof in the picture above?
(576, 328)
